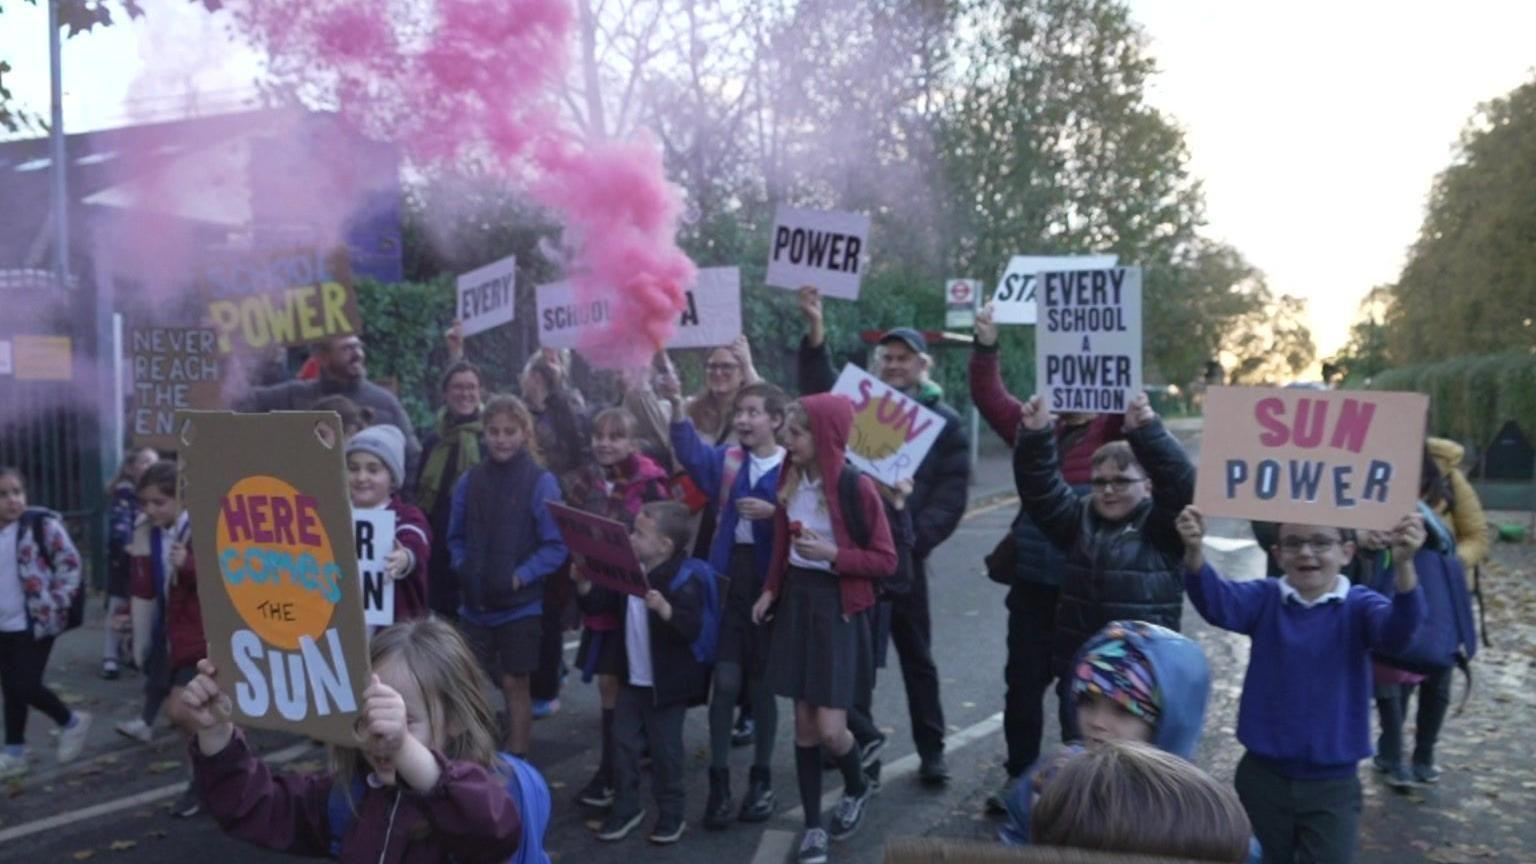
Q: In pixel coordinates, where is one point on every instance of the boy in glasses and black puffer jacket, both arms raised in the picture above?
(1121, 545)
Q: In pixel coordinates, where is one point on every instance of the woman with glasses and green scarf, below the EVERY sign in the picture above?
(449, 451)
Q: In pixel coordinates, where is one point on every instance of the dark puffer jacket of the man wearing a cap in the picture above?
(942, 482)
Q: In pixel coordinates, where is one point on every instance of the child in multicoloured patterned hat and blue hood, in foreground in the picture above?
(1133, 682)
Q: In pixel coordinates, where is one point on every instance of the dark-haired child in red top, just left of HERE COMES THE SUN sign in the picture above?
(168, 617)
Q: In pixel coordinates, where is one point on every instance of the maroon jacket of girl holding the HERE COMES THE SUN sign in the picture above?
(468, 817)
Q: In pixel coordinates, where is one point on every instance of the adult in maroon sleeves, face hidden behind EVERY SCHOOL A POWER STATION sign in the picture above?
(1028, 563)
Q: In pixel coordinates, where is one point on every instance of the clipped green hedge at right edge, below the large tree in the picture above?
(1472, 397)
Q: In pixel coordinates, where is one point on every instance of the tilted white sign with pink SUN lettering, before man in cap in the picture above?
(892, 431)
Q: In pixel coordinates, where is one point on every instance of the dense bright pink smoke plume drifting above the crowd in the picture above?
(477, 81)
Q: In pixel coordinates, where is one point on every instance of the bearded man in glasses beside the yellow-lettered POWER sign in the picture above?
(343, 371)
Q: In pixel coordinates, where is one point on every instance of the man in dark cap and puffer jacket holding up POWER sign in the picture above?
(936, 503)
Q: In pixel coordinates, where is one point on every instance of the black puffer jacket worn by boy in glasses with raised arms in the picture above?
(1131, 570)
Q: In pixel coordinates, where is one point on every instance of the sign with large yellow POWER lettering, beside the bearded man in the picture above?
(282, 299)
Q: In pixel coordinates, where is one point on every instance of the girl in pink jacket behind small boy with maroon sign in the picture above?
(623, 482)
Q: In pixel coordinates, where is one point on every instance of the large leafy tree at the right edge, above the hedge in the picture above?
(1471, 282)
